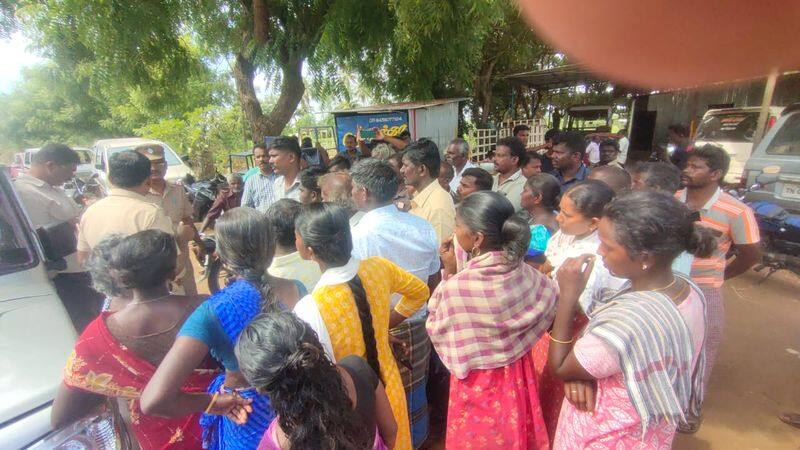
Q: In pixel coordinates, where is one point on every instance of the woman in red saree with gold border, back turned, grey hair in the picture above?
(118, 352)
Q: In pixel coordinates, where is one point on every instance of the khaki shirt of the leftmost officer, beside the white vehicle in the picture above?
(48, 205)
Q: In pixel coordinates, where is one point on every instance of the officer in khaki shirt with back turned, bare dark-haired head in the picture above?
(126, 210)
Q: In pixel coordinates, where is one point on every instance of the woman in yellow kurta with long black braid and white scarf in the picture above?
(350, 306)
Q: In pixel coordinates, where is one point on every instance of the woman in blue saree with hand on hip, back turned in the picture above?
(246, 244)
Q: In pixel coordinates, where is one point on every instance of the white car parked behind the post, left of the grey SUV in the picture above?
(733, 130)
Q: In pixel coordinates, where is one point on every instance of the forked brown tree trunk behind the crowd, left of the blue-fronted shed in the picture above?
(292, 89)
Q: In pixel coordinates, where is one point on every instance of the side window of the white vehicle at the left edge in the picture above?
(16, 251)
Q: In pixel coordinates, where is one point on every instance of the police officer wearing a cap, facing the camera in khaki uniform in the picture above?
(173, 199)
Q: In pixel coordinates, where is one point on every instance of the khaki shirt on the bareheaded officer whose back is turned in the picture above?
(122, 212)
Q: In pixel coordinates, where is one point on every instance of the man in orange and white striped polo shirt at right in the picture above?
(705, 169)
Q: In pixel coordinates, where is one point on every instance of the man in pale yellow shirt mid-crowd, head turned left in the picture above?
(421, 162)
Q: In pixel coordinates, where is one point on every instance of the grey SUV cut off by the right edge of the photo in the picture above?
(780, 147)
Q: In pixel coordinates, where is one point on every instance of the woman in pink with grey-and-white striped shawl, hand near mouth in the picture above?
(637, 368)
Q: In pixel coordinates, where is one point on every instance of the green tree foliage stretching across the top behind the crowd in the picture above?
(156, 66)
